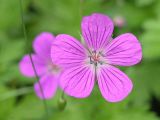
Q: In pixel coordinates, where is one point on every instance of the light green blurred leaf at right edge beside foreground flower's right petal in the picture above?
(150, 39)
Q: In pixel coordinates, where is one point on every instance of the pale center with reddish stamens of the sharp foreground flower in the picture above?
(96, 58)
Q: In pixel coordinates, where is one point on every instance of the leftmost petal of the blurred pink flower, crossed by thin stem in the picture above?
(26, 67)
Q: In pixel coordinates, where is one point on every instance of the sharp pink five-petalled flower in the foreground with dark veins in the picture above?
(95, 61)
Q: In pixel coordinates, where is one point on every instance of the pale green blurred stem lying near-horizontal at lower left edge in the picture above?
(15, 93)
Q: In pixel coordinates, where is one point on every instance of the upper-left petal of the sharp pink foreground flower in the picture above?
(66, 51)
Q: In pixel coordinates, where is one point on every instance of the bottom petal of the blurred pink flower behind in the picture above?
(49, 84)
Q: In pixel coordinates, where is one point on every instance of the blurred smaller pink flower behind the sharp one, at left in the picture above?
(46, 70)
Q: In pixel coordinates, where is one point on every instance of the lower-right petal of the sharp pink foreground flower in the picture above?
(113, 83)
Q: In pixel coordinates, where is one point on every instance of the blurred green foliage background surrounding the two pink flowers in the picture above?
(17, 98)
